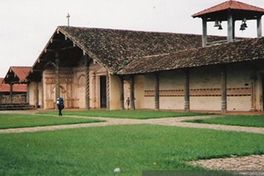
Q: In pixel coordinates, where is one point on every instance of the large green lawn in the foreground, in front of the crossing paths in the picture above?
(132, 148)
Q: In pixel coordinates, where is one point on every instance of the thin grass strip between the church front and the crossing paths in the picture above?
(132, 114)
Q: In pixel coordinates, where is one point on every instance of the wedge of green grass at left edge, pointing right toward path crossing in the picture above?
(28, 120)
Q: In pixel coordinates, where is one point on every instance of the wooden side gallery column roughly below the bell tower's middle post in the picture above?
(223, 90)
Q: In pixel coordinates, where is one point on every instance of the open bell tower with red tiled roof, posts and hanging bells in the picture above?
(230, 11)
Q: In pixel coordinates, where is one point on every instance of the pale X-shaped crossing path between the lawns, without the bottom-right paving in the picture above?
(162, 121)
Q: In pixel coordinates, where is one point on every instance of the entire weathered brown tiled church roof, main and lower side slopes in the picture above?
(135, 52)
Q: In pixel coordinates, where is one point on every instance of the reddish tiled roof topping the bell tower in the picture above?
(229, 5)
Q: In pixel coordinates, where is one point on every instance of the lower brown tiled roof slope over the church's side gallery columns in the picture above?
(247, 50)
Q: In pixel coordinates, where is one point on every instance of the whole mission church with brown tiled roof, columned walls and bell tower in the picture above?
(93, 68)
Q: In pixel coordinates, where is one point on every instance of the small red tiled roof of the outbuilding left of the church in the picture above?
(17, 74)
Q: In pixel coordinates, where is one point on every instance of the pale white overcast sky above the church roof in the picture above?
(27, 25)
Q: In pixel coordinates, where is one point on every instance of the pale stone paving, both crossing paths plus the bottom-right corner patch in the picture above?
(248, 163)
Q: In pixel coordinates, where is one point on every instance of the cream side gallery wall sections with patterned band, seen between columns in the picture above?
(205, 88)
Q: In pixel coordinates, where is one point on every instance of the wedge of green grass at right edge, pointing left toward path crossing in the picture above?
(249, 121)
